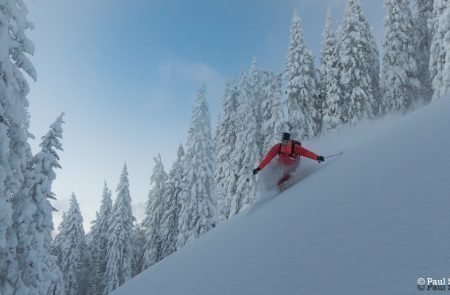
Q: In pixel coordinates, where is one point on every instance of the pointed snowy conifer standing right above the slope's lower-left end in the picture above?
(119, 251)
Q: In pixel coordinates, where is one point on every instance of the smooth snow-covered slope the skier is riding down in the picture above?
(372, 221)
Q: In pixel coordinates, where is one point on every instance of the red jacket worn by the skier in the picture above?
(285, 157)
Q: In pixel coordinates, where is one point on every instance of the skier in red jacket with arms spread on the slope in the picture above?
(289, 152)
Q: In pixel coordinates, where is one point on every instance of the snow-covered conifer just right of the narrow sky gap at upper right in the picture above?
(399, 82)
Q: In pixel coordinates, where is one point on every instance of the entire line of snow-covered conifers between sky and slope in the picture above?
(210, 180)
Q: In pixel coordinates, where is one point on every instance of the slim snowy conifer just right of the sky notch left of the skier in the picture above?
(224, 145)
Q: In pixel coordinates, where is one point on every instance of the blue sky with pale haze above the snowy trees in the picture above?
(126, 74)
